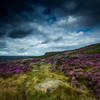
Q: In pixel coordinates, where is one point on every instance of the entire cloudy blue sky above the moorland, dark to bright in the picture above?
(34, 27)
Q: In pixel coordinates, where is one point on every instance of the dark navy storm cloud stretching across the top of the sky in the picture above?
(90, 9)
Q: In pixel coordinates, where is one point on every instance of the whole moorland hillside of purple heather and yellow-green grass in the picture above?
(66, 75)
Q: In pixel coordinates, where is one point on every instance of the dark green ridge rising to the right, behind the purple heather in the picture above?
(90, 49)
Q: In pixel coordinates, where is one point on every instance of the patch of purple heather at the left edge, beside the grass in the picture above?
(7, 69)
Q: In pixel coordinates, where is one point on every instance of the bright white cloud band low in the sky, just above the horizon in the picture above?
(38, 45)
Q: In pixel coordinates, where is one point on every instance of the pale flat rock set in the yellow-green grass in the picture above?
(48, 85)
